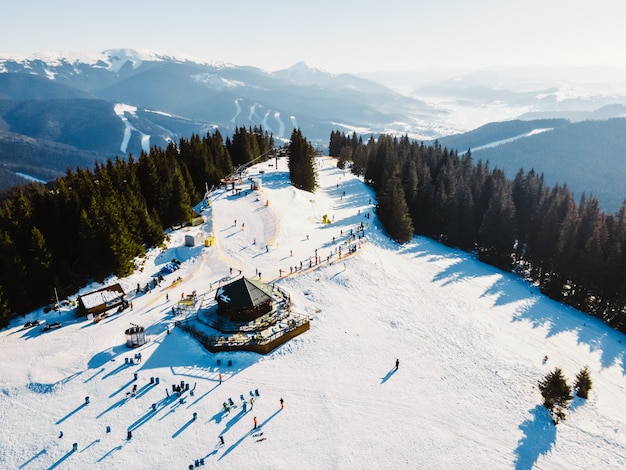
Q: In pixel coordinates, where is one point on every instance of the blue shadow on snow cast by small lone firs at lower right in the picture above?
(539, 438)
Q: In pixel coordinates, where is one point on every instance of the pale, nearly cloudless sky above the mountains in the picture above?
(334, 35)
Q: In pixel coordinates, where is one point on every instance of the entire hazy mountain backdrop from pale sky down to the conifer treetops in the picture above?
(60, 111)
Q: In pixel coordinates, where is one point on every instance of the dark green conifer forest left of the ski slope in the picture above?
(90, 224)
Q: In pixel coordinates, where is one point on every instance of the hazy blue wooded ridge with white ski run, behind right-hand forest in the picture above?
(588, 156)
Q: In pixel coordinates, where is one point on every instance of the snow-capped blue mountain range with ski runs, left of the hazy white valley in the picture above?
(58, 111)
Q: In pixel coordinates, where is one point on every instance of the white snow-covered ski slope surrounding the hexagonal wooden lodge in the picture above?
(470, 340)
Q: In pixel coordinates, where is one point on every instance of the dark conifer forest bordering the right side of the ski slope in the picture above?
(574, 252)
